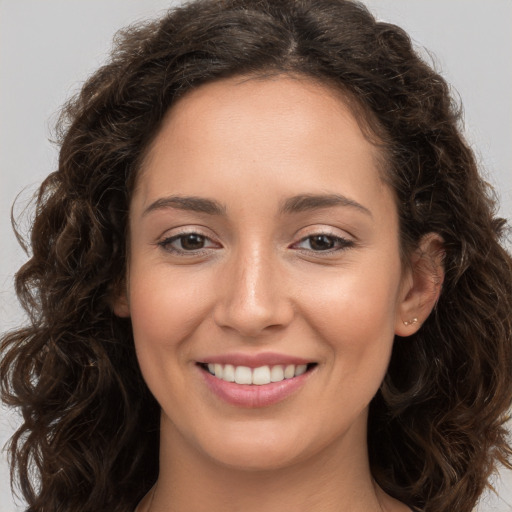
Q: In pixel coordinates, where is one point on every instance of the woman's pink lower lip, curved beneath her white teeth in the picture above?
(253, 396)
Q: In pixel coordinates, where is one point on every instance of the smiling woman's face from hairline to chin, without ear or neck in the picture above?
(264, 249)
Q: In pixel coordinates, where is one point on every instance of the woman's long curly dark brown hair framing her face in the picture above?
(89, 437)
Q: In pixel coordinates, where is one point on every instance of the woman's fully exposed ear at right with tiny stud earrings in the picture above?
(421, 285)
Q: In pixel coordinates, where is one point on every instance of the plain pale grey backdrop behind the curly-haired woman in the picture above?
(48, 48)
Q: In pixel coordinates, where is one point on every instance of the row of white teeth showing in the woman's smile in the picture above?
(257, 376)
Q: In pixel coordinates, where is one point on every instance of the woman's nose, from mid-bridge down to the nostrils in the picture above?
(253, 298)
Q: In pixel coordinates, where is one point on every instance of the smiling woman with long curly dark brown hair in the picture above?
(266, 274)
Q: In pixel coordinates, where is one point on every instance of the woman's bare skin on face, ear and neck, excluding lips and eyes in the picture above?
(258, 284)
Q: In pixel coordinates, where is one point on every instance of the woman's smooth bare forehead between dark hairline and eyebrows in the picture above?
(252, 131)
